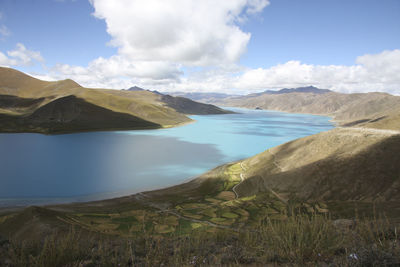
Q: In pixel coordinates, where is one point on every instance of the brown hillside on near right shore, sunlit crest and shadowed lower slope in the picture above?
(341, 164)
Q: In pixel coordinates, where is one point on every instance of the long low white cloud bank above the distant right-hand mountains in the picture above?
(378, 72)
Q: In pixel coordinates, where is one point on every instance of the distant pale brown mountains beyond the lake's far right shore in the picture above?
(344, 108)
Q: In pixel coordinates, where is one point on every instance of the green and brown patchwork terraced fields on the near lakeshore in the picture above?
(221, 209)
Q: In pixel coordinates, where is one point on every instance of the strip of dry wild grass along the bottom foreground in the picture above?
(298, 240)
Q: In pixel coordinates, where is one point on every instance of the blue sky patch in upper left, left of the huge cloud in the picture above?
(63, 31)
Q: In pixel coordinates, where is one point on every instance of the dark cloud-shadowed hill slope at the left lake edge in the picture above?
(70, 114)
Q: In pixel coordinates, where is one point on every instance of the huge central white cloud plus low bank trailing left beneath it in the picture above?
(157, 39)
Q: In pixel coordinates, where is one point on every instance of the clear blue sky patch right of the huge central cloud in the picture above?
(322, 32)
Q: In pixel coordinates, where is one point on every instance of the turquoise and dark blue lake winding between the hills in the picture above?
(38, 169)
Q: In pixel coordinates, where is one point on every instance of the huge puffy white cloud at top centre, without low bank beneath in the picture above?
(190, 32)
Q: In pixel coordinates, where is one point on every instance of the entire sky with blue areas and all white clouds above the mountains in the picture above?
(228, 46)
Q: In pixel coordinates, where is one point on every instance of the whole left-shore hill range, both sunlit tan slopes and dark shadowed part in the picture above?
(30, 102)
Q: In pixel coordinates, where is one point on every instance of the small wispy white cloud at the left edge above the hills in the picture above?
(20, 56)
